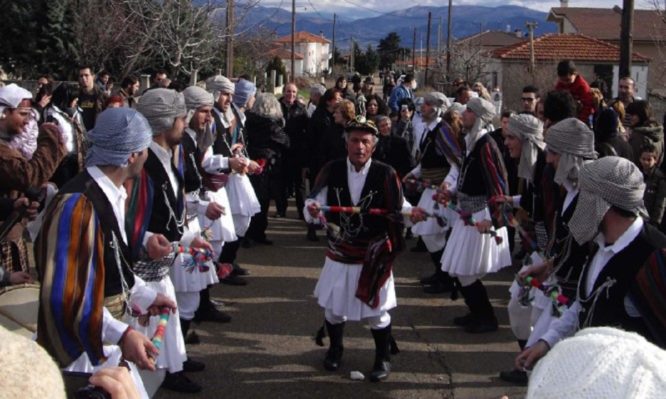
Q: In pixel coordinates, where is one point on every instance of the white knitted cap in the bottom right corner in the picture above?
(600, 362)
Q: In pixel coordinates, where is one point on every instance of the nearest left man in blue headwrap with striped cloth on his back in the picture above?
(84, 261)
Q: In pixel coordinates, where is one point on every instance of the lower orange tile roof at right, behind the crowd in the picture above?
(565, 46)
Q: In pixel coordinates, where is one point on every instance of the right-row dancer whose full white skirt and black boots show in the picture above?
(471, 252)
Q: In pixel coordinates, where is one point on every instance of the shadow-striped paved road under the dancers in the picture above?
(267, 351)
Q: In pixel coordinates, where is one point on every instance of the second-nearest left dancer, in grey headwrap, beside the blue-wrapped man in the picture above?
(165, 214)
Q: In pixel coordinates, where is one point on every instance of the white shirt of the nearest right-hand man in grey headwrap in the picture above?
(567, 324)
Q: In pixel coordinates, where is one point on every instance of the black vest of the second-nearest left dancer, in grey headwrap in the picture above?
(161, 219)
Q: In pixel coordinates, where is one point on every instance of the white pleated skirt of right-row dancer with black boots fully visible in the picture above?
(470, 253)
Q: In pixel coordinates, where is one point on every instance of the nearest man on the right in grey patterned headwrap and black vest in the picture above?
(609, 214)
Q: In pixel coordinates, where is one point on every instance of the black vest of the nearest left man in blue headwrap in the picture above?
(84, 183)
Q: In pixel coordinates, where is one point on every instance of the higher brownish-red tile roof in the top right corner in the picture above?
(604, 23)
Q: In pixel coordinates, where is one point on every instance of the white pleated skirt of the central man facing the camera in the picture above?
(336, 291)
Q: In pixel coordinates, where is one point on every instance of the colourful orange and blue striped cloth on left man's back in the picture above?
(69, 252)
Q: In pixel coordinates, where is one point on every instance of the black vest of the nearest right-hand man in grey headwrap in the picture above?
(622, 268)
